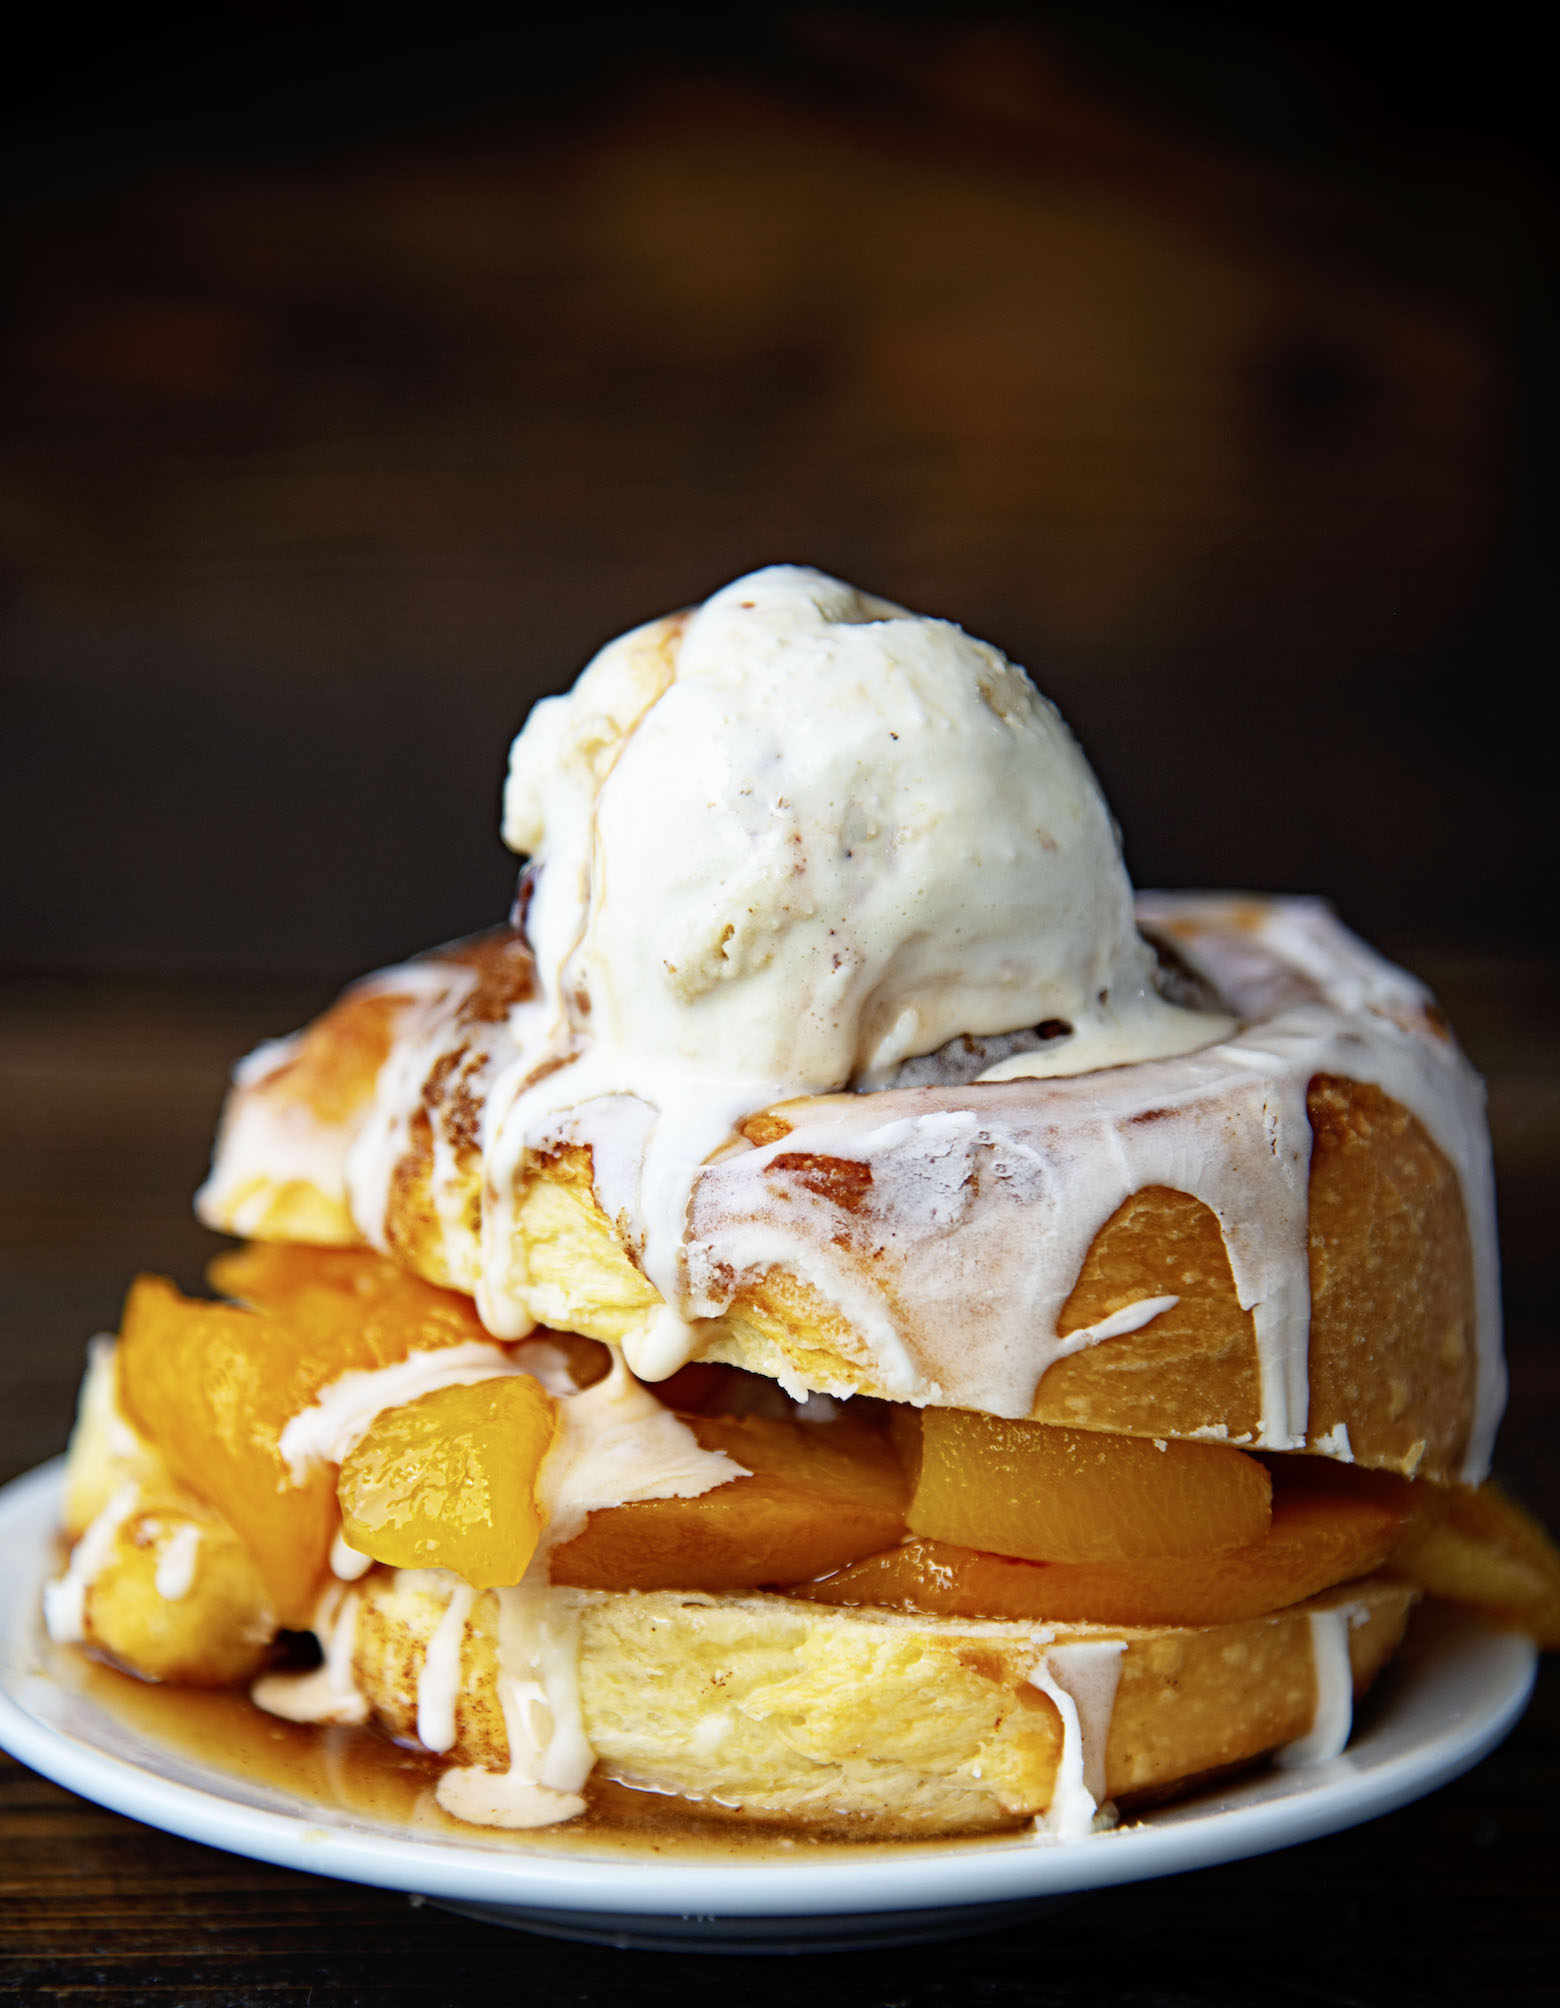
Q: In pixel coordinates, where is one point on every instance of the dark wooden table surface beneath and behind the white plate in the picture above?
(107, 1101)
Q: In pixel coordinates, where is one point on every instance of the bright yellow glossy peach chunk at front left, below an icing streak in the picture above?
(451, 1481)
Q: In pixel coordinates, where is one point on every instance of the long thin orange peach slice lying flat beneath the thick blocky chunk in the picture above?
(1314, 1543)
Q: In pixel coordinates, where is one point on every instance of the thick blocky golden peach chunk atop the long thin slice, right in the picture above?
(1057, 1495)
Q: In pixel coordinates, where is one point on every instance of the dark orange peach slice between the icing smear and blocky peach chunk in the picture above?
(818, 1497)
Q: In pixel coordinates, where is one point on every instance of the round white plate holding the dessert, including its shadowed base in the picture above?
(1453, 1696)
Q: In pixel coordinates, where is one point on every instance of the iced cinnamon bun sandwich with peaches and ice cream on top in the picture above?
(838, 1310)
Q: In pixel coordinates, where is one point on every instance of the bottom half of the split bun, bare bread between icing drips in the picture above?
(911, 1724)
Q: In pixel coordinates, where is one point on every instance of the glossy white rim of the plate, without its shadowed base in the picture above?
(900, 1878)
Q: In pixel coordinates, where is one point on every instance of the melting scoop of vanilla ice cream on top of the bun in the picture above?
(802, 836)
